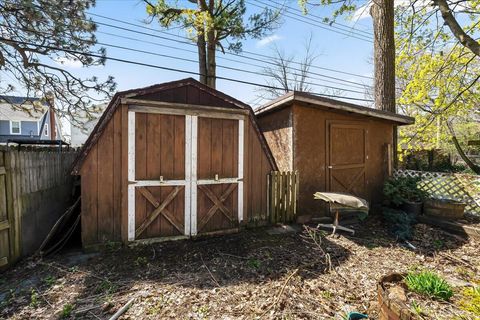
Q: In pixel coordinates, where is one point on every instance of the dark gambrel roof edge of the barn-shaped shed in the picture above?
(153, 93)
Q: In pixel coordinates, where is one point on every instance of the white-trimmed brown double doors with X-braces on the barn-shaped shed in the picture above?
(185, 174)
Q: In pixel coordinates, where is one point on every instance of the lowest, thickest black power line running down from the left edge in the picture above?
(99, 56)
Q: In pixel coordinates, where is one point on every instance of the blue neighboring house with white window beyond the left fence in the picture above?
(24, 118)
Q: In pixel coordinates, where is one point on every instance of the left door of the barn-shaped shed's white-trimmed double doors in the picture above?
(159, 175)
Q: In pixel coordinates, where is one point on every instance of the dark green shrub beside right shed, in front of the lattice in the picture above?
(403, 189)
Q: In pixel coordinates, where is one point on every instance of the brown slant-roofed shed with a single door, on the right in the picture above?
(335, 146)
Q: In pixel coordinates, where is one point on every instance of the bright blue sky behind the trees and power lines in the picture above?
(335, 51)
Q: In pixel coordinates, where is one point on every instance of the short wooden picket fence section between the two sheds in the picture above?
(282, 188)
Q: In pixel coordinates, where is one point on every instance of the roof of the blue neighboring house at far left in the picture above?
(21, 108)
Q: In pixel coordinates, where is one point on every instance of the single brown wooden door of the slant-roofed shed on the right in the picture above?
(346, 157)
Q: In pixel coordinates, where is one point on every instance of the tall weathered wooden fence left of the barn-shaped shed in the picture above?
(35, 188)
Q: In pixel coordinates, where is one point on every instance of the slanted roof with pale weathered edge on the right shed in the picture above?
(317, 101)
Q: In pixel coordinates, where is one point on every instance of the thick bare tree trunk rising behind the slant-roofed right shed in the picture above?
(382, 13)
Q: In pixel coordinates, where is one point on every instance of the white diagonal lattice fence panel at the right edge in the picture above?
(440, 185)
